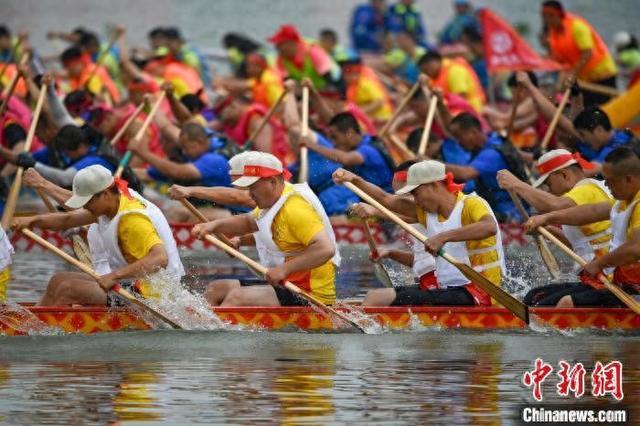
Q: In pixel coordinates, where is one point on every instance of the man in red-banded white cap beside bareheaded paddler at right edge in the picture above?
(568, 186)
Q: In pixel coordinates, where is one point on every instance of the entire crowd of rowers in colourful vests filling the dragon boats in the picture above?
(220, 154)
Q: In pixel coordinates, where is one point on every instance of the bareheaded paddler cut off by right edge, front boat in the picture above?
(621, 171)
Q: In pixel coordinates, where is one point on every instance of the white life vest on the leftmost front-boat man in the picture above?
(104, 244)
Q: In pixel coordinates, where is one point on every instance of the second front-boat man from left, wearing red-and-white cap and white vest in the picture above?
(293, 236)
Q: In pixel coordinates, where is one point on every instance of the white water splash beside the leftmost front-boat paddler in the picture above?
(190, 311)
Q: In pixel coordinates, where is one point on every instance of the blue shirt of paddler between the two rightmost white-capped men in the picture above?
(488, 161)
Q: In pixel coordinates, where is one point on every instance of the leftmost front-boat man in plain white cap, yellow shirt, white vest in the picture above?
(129, 238)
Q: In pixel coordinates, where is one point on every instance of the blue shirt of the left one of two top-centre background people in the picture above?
(367, 29)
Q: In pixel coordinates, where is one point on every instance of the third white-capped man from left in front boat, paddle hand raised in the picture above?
(462, 225)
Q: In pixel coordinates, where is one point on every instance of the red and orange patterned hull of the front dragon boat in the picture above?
(88, 320)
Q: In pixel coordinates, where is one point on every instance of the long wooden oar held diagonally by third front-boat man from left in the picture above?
(518, 308)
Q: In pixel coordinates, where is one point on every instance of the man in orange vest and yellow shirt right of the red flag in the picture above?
(575, 43)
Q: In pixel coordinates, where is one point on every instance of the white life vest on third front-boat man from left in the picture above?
(447, 274)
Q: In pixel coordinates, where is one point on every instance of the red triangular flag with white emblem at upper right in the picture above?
(505, 50)
